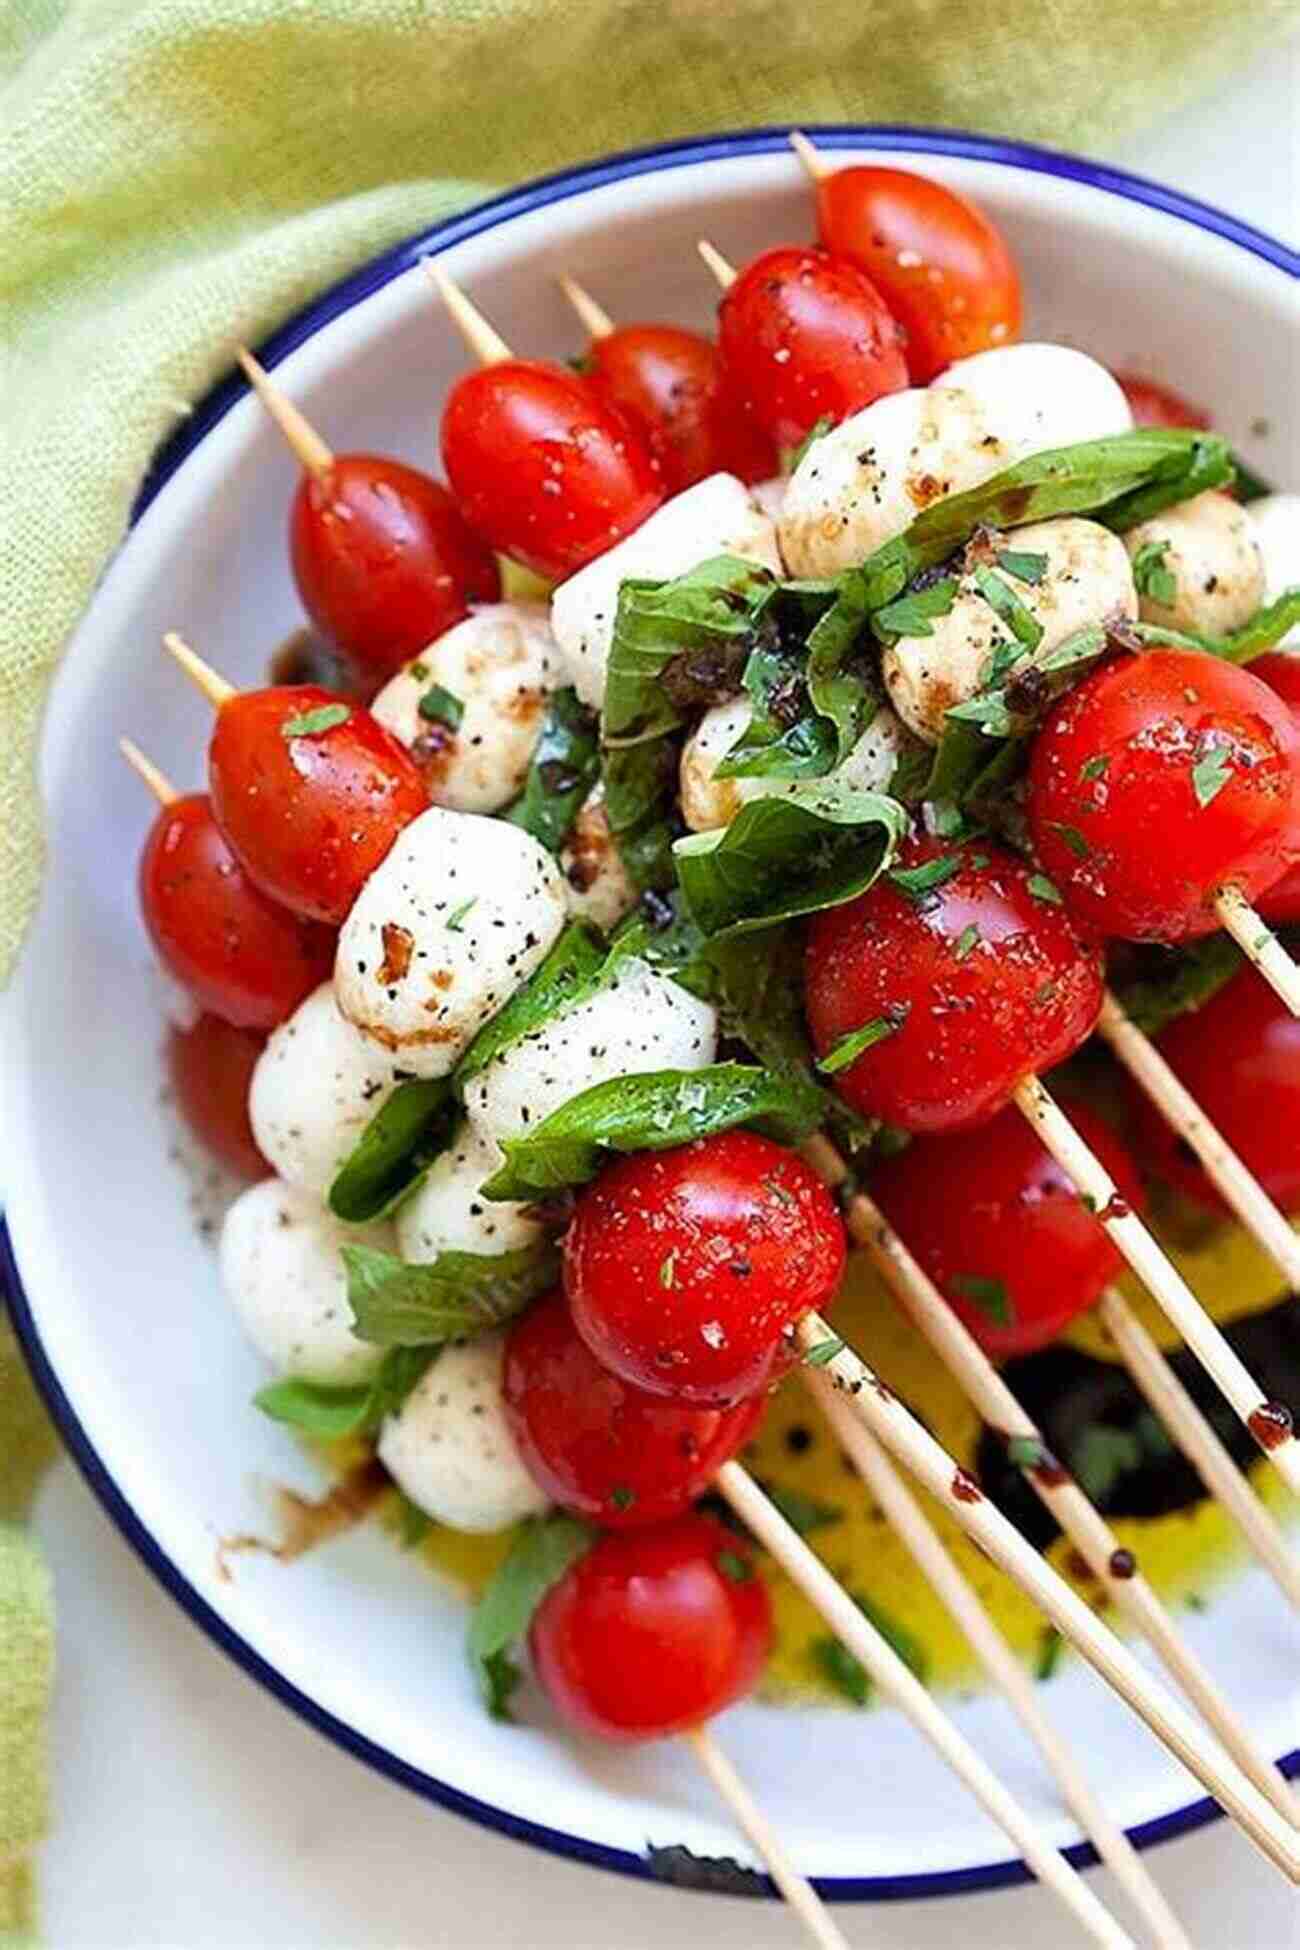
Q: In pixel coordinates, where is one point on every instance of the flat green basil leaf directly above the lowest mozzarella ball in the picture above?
(457, 1296)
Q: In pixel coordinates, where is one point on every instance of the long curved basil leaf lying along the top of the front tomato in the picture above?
(654, 1111)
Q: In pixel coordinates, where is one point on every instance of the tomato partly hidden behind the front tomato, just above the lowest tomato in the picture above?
(599, 1446)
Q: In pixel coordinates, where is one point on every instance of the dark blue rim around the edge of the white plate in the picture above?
(303, 325)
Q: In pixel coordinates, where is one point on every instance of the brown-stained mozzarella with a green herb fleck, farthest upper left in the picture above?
(500, 664)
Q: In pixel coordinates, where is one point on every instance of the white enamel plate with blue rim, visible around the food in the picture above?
(118, 1300)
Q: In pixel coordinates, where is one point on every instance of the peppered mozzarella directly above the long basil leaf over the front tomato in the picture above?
(638, 1023)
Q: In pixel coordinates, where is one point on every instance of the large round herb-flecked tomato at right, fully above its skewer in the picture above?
(1159, 781)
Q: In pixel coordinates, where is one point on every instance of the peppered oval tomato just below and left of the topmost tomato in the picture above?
(804, 338)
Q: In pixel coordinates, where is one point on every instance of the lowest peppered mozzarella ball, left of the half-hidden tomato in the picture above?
(451, 1450)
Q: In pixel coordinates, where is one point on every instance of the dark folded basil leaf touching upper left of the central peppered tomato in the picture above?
(812, 847)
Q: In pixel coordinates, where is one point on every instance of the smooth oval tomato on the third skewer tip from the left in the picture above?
(385, 561)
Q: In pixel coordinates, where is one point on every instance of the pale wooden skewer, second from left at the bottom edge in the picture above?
(905, 1692)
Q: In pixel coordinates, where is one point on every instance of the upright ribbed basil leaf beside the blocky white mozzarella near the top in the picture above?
(708, 613)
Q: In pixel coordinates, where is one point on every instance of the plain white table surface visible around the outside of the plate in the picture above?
(198, 1814)
